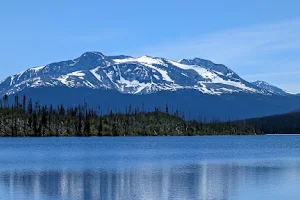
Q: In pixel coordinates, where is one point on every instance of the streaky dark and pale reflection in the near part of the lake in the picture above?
(205, 182)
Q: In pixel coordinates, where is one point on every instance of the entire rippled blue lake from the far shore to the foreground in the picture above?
(204, 168)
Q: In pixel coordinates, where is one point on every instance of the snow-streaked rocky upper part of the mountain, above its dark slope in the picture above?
(128, 75)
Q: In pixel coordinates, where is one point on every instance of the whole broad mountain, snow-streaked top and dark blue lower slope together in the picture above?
(197, 87)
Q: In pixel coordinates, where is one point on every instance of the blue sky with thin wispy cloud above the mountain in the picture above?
(259, 39)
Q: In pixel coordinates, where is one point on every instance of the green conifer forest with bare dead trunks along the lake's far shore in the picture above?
(25, 118)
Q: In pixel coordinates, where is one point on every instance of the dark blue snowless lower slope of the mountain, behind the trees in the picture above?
(193, 103)
